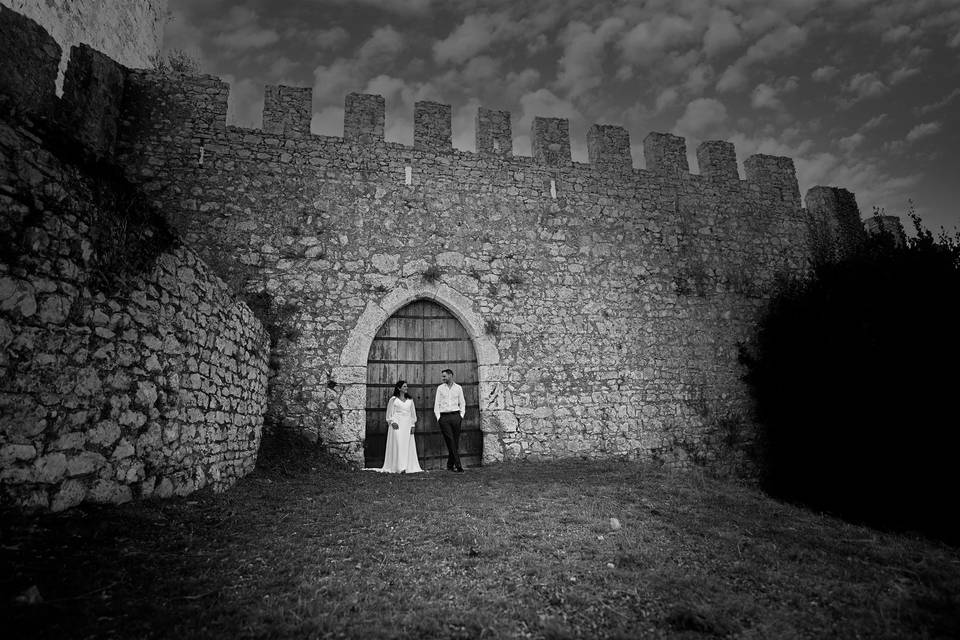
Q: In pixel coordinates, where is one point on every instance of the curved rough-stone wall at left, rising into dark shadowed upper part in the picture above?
(116, 383)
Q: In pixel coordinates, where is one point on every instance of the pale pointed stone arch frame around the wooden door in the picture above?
(495, 416)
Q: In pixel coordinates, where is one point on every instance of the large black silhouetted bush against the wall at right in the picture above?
(854, 371)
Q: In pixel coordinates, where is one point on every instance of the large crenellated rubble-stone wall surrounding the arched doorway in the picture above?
(615, 299)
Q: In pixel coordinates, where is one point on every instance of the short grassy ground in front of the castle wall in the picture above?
(515, 550)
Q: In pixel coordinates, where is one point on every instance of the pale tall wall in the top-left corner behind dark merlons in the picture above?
(129, 31)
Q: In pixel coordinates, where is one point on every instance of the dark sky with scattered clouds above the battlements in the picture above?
(863, 94)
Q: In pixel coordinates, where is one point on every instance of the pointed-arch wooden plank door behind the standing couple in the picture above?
(416, 344)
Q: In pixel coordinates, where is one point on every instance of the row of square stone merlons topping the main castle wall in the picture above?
(288, 110)
